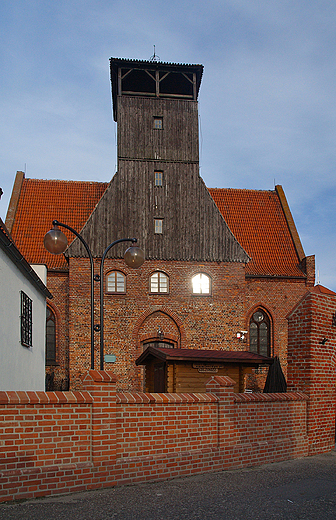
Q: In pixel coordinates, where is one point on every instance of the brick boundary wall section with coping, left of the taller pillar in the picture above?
(44, 429)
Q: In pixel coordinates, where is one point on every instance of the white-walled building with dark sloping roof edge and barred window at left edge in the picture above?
(22, 319)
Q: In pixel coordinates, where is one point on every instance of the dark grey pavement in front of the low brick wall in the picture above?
(299, 489)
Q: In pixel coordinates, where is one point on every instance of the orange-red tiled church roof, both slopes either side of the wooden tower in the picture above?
(256, 218)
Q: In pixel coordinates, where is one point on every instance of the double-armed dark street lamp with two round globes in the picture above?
(56, 243)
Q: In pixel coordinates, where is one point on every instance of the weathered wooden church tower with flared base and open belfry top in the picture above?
(157, 194)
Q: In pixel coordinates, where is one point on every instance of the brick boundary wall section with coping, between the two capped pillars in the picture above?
(155, 424)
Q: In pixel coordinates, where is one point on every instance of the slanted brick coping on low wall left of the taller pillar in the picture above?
(21, 397)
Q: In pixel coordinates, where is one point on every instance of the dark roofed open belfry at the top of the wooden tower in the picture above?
(154, 79)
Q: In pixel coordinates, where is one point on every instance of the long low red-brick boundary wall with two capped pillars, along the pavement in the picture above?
(61, 442)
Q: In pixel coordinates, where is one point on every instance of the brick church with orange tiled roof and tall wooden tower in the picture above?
(223, 268)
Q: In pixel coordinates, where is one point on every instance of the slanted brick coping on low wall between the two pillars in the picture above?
(166, 398)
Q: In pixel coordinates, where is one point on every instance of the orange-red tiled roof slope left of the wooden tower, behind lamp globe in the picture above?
(42, 201)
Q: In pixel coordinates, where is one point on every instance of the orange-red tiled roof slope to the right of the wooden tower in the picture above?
(258, 221)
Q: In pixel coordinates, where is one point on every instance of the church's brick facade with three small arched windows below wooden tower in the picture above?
(187, 320)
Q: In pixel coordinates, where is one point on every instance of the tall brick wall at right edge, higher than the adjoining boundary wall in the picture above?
(312, 364)
